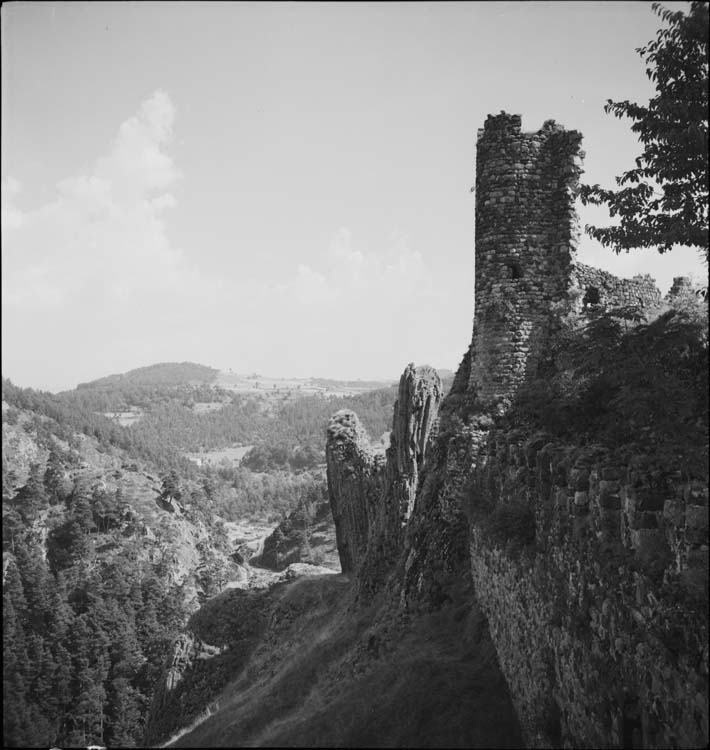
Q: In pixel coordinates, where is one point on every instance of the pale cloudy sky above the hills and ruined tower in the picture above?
(281, 188)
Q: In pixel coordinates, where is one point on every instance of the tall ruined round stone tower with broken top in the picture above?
(526, 238)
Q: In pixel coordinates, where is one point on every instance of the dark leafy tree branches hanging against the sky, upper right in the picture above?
(673, 129)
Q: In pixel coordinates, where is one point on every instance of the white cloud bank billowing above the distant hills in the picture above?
(92, 284)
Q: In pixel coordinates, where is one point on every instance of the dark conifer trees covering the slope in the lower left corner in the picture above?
(84, 635)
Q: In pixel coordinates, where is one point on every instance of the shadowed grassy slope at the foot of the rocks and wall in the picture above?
(325, 675)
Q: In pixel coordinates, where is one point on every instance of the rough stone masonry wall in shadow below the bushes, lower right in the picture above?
(593, 622)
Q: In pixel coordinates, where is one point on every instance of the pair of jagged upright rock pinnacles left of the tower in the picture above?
(372, 497)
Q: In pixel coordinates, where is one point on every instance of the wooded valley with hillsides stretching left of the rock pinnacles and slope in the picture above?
(123, 521)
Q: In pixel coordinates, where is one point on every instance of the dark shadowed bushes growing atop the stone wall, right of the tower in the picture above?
(622, 381)
